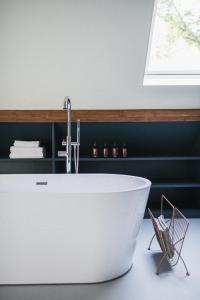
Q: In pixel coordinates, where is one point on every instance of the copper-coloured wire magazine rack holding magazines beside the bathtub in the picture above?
(170, 234)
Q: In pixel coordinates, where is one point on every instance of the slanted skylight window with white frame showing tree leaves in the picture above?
(174, 46)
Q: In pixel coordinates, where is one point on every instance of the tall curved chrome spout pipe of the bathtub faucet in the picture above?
(67, 106)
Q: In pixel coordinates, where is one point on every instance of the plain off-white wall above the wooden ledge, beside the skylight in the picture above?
(92, 50)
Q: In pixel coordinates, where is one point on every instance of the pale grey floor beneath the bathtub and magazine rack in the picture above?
(140, 283)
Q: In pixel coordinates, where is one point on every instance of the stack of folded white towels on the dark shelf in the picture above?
(26, 149)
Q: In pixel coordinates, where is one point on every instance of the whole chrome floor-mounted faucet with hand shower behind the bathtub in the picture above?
(68, 142)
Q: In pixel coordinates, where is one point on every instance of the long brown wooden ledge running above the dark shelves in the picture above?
(131, 115)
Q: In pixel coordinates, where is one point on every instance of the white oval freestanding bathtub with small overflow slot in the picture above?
(76, 228)
